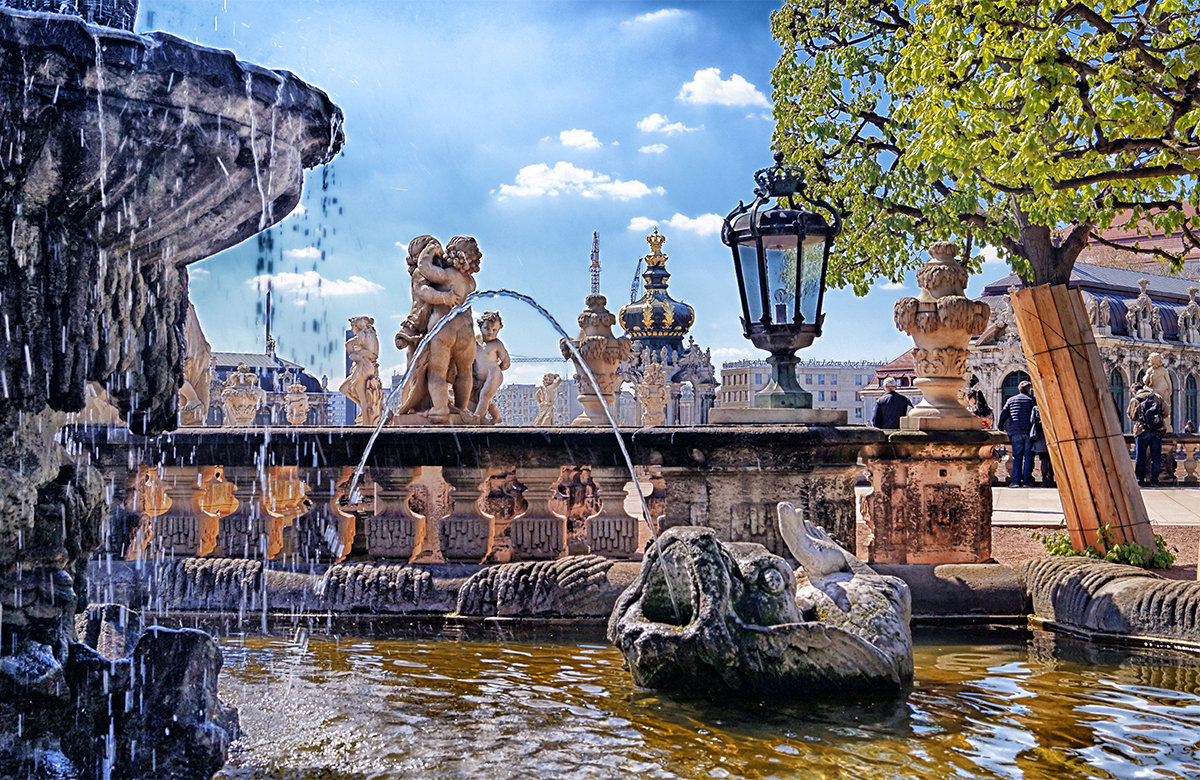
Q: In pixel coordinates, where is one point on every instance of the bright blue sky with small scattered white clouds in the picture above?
(527, 125)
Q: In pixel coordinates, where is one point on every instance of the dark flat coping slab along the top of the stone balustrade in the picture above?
(710, 447)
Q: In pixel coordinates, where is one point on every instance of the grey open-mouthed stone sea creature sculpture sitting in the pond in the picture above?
(718, 617)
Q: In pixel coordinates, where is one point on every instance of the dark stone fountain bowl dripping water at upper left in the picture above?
(175, 151)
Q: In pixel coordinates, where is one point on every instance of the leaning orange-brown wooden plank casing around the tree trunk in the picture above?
(1091, 464)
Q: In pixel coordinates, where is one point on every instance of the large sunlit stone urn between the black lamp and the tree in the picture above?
(941, 321)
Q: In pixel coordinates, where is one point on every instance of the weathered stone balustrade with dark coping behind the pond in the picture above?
(471, 495)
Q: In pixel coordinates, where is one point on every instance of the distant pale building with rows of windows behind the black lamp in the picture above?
(835, 385)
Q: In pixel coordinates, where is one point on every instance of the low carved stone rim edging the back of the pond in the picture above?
(1095, 601)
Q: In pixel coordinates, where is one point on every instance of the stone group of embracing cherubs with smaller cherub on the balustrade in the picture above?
(443, 278)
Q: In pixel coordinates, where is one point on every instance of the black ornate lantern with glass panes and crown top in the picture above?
(781, 256)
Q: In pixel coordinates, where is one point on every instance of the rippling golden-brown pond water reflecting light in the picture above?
(985, 705)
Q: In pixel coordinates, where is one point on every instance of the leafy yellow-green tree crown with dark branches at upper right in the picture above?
(1028, 125)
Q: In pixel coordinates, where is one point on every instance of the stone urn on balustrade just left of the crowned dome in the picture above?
(602, 353)
